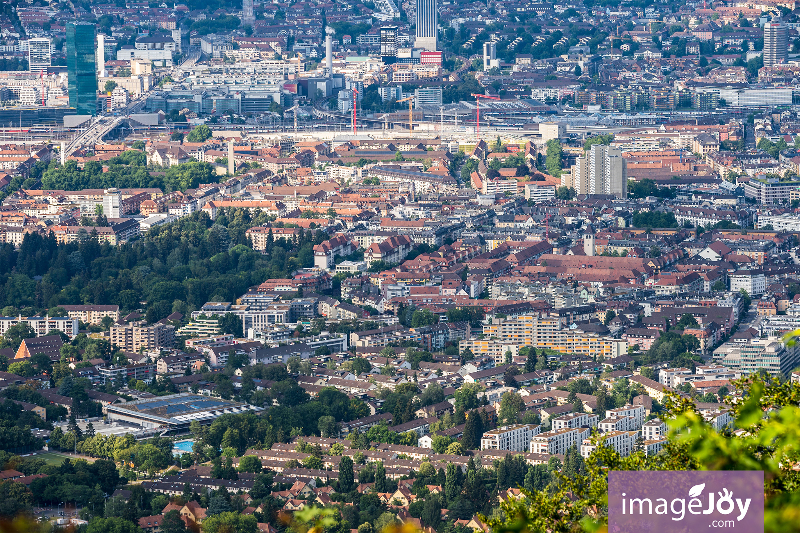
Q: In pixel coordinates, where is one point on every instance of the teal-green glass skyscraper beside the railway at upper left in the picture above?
(81, 69)
